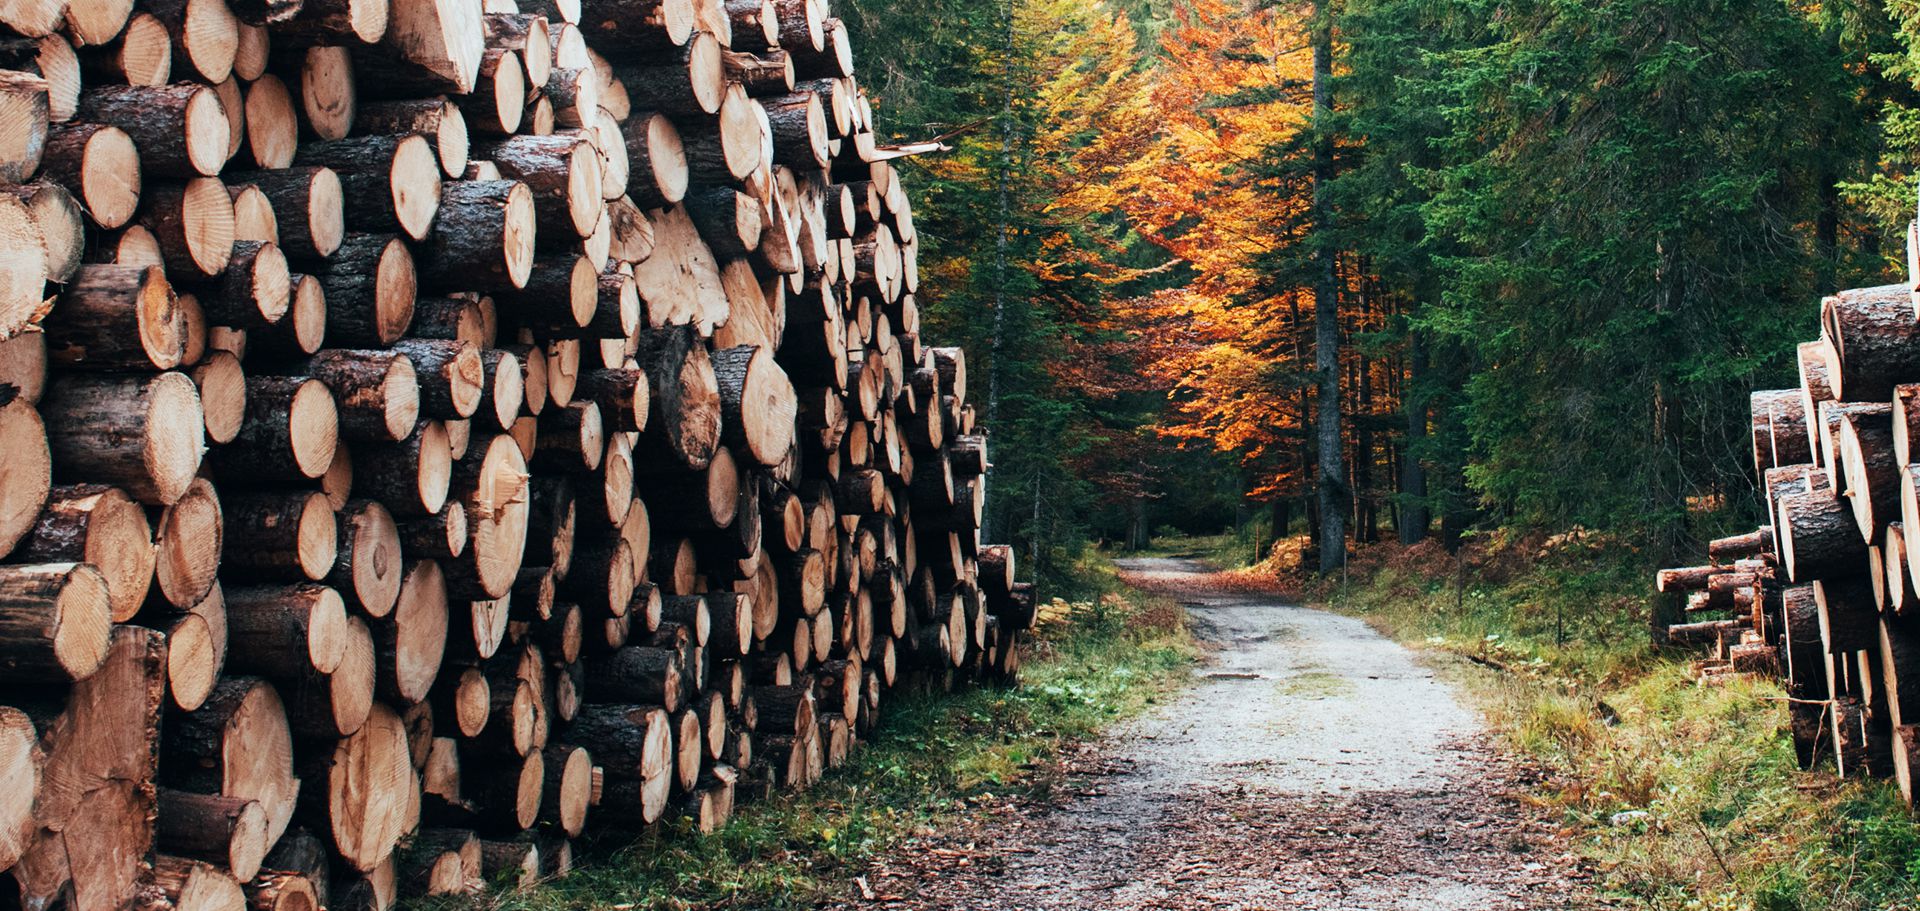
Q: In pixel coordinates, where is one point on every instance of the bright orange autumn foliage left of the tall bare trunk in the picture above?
(1228, 89)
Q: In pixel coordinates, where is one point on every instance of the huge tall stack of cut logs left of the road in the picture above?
(429, 430)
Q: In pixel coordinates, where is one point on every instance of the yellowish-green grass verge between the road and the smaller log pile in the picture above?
(1687, 797)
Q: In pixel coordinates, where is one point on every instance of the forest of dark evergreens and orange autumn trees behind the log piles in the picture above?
(1374, 268)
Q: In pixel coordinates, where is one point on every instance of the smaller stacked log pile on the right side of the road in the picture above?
(1825, 595)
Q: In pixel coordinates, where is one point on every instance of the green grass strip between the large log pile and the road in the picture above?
(934, 762)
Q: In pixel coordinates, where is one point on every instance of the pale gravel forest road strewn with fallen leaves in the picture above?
(1312, 766)
